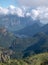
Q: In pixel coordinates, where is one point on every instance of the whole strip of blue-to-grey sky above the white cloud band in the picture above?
(29, 3)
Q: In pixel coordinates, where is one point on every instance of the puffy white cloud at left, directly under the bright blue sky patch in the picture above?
(11, 10)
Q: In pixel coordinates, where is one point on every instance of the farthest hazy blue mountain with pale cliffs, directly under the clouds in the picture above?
(14, 22)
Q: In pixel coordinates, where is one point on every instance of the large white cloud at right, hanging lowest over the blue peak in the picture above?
(41, 13)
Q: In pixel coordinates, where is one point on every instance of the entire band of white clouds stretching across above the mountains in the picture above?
(40, 13)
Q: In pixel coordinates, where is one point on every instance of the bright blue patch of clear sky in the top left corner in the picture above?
(6, 3)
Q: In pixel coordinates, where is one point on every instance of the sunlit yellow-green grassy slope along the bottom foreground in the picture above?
(39, 59)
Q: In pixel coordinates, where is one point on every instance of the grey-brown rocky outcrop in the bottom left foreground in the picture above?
(5, 55)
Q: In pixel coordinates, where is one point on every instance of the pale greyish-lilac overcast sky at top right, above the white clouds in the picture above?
(33, 3)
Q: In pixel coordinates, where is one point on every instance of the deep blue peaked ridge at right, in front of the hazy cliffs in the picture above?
(32, 29)
